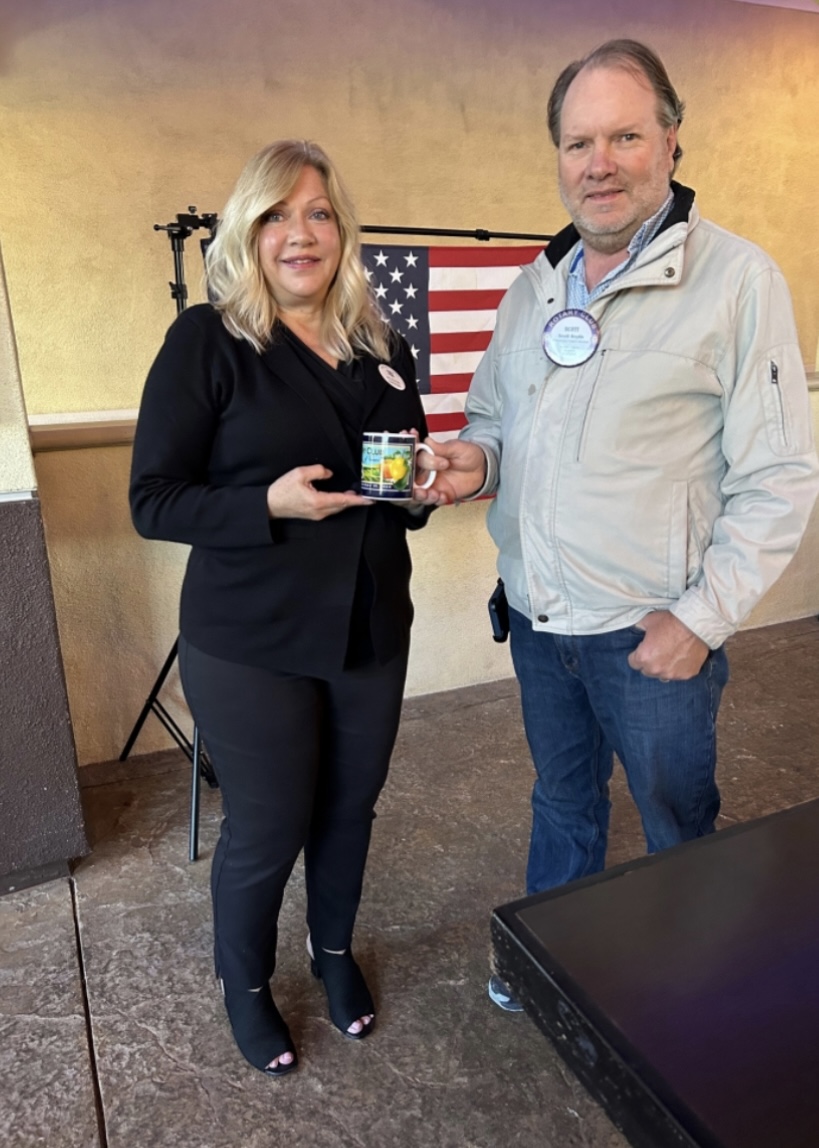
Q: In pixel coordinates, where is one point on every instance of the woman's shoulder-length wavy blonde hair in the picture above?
(236, 283)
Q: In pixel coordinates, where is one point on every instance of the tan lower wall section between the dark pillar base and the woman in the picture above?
(117, 601)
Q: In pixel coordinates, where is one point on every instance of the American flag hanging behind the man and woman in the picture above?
(443, 300)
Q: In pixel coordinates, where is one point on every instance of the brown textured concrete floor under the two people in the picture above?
(112, 1031)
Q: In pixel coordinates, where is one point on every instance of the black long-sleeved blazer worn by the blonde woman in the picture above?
(219, 423)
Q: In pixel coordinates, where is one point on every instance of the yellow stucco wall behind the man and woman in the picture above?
(117, 115)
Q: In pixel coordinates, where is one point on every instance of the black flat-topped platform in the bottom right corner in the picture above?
(683, 989)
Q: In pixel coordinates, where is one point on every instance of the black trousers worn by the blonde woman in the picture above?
(300, 763)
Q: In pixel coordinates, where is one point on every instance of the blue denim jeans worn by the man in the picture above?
(582, 704)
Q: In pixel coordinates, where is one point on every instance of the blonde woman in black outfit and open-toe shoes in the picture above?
(296, 610)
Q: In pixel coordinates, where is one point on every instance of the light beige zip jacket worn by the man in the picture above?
(674, 470)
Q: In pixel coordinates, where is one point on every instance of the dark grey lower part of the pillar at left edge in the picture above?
(41, 815)
